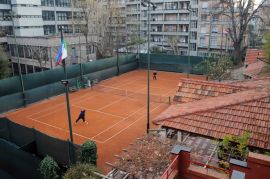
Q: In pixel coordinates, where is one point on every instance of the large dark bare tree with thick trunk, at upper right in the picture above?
(239, 13)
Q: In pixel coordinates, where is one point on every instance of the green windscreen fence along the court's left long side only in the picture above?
(46, 84)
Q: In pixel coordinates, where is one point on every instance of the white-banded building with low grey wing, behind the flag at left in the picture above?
(33, 26)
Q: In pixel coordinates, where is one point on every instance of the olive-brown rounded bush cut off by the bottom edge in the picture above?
(81, 171)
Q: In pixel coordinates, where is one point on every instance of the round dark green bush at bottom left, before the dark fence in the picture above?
(49, 168)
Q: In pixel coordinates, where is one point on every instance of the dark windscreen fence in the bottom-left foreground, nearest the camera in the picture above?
(18, 143)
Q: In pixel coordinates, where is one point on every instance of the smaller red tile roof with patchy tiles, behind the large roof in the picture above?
(192, 90)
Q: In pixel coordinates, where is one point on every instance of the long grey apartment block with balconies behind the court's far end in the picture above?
(194, 26)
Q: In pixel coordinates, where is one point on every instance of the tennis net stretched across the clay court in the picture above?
(132, 94)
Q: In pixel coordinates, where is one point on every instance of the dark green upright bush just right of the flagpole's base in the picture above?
(89, 152)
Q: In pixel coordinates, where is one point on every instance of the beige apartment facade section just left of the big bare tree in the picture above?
(213, 36)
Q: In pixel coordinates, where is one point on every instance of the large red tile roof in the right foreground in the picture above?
(230, 114)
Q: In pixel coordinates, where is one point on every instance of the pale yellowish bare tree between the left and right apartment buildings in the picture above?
(96, 23)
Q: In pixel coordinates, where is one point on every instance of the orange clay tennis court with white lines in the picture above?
(116, 111)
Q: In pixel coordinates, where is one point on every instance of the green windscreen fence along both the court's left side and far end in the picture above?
(46, 84)
